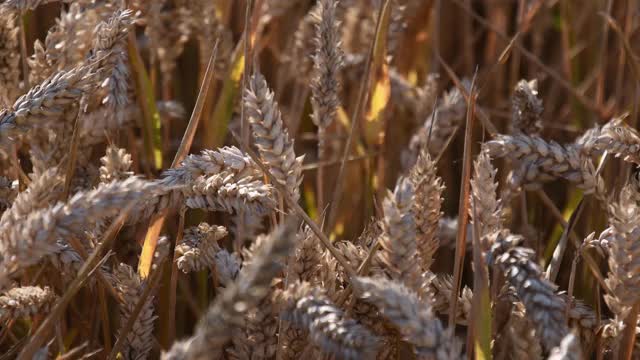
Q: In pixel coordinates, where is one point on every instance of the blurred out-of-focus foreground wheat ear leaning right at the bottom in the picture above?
(251, 287)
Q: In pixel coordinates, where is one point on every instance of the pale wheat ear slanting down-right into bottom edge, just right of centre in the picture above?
(414, 318)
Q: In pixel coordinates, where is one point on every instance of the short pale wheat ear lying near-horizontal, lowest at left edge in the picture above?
(25, 301)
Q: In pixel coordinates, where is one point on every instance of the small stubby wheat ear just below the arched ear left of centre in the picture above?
(199, 247)
